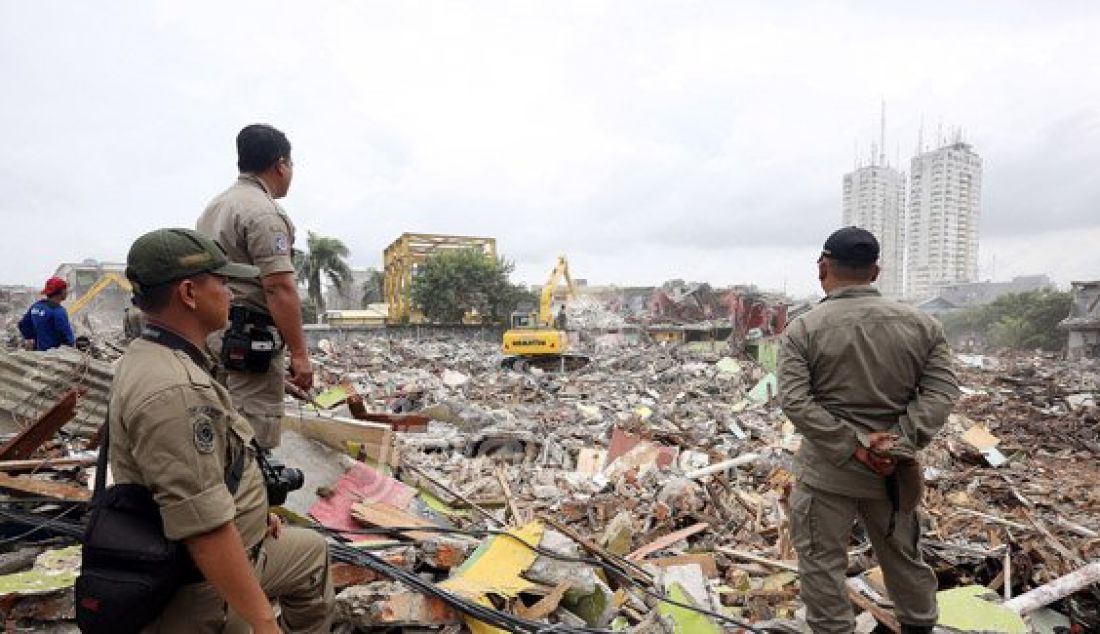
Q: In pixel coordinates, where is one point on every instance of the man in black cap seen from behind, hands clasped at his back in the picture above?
(867, 382)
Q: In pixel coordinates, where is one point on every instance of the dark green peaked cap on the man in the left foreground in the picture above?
(170, 255)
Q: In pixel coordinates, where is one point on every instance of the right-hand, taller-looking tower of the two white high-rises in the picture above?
(942, 225)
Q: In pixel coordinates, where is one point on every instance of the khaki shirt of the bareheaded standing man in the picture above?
(254, 229)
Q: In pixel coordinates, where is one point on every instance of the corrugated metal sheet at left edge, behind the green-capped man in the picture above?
(32, 382)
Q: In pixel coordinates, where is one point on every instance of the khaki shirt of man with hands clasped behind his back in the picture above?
(859, 364)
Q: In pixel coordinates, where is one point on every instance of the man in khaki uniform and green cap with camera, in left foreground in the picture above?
(174, 430)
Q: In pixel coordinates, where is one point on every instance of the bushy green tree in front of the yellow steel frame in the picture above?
(453, 283)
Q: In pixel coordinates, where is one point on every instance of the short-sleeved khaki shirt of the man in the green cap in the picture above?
(174, 431)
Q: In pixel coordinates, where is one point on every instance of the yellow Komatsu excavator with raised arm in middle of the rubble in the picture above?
(537, 340)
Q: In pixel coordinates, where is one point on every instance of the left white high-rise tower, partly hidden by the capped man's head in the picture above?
(875, 200)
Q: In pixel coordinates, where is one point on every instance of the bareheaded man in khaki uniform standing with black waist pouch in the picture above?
(254, 229)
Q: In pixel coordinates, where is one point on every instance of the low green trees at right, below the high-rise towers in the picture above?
(1021, 321)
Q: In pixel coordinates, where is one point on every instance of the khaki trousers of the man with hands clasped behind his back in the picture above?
(821, 529)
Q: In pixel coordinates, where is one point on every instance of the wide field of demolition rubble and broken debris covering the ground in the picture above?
(646, 493)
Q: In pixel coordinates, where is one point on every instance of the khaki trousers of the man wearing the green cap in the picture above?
(293, 570)
